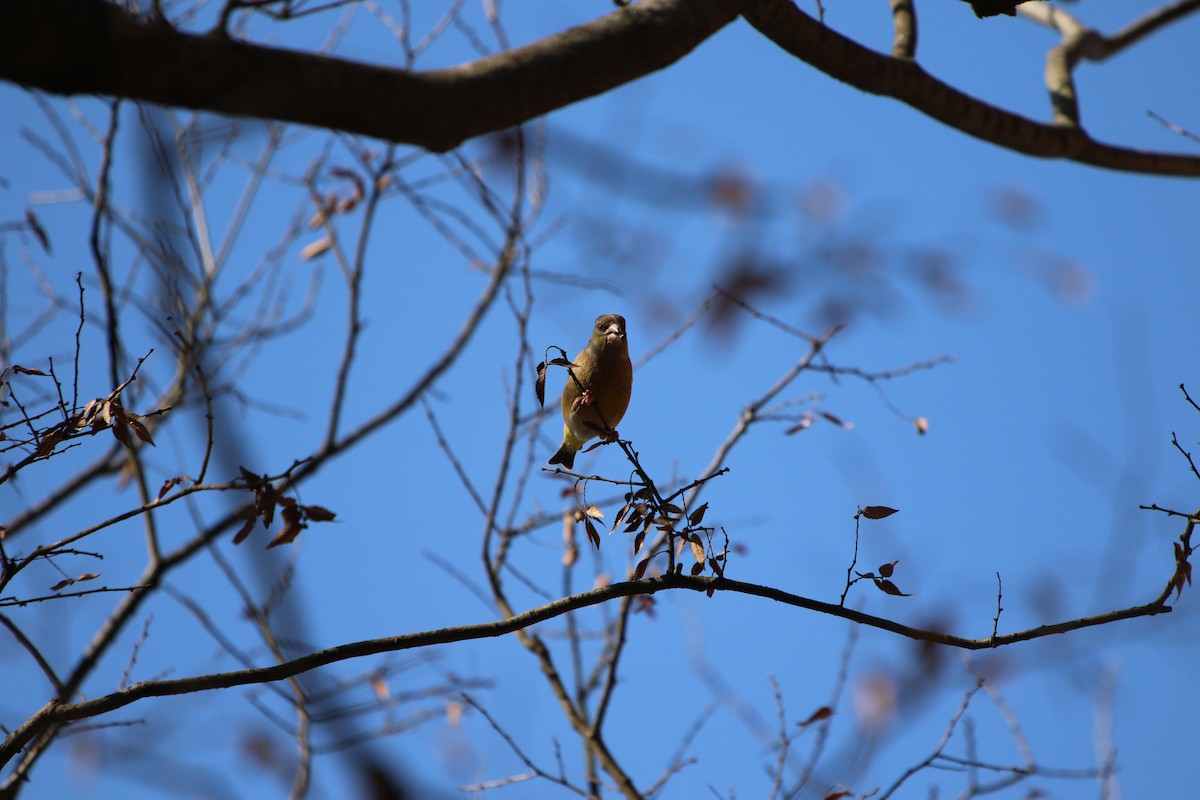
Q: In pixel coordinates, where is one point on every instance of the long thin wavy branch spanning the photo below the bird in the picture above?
(57, 713)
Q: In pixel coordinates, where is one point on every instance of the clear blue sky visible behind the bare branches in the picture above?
(1052, 425)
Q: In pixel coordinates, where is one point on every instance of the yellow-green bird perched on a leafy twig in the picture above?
(601, 398)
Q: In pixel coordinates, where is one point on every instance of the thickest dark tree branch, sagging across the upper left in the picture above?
(73, 47)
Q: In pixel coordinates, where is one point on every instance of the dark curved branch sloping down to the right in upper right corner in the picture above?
(847, 61)
